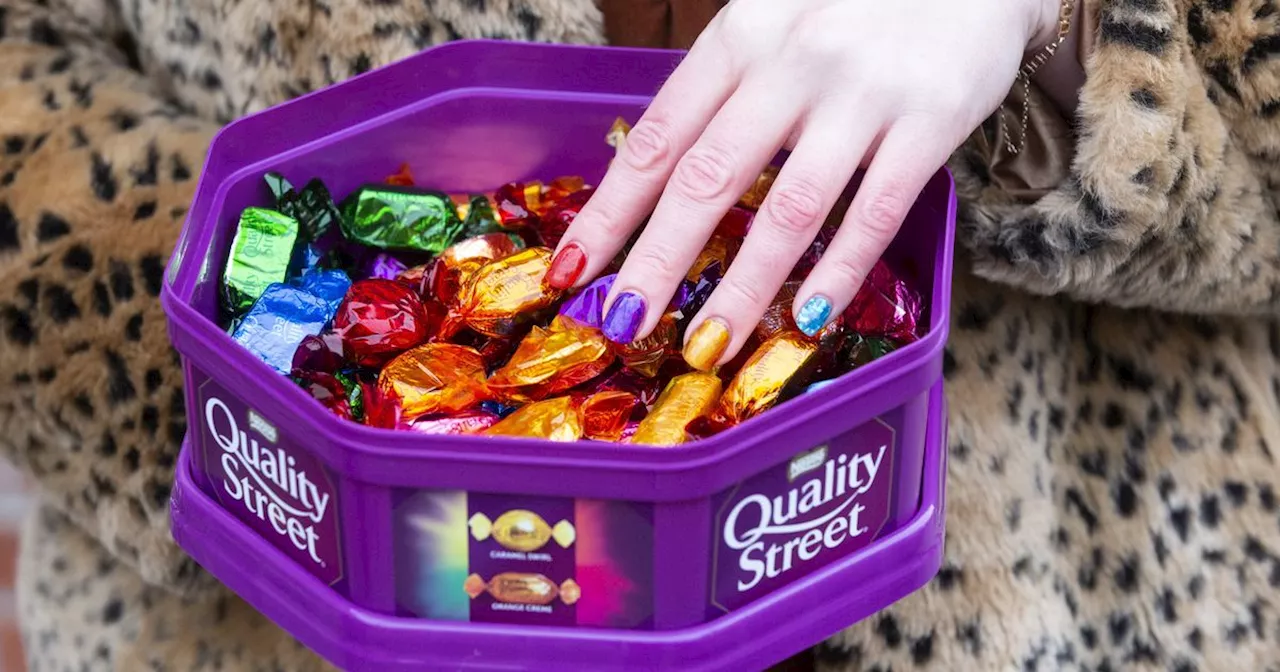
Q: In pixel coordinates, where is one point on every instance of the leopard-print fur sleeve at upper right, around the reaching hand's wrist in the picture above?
(1172, 199)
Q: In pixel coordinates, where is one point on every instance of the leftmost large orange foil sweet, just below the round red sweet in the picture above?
(436, 378)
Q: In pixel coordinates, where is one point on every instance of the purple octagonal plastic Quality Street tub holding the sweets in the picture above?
(400, 551)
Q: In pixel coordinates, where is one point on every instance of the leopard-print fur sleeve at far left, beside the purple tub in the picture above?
(95, 175)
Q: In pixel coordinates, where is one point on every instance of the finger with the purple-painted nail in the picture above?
(708, 180)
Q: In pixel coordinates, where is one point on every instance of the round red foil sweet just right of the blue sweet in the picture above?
(381, 319)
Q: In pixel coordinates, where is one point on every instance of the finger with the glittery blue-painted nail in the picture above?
(907, 159)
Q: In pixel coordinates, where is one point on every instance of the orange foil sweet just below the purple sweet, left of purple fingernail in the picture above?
(552, 360)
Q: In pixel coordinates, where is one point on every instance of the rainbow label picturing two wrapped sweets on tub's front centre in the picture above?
(524, 560)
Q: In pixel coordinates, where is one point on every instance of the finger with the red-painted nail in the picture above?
(687, 103)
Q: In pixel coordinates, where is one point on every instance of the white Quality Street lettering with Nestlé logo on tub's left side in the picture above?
(267, 481)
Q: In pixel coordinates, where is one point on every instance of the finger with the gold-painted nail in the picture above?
(808, 186)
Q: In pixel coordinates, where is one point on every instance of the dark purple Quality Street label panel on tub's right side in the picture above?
(802, 515)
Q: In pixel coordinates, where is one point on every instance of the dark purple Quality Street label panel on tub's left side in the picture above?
(273, 487)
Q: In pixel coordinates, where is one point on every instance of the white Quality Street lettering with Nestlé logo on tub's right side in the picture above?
(775, 536)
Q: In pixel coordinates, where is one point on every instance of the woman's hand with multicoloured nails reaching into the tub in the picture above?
(894, 86)
